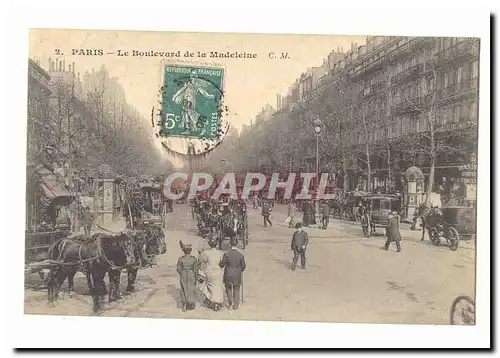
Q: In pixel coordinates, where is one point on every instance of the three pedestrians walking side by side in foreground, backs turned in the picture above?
(212, 273)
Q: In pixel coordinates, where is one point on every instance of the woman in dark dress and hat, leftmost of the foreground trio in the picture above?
(187, 268)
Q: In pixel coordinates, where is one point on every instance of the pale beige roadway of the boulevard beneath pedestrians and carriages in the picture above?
(348, 278)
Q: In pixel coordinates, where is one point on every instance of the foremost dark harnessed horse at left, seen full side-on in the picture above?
(102, 254)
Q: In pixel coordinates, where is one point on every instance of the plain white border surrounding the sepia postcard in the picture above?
(422, 18)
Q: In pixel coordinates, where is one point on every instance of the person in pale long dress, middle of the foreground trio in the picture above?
(213, 288)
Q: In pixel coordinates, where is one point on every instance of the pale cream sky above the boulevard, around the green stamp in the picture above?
(249, 83)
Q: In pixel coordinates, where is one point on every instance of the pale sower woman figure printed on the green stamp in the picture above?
(186, 96)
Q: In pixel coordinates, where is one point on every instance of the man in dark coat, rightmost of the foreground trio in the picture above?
(233, 263)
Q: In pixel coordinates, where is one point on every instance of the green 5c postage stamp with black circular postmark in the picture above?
(191, 101)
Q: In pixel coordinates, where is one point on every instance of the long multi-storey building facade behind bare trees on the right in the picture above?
(380, 103)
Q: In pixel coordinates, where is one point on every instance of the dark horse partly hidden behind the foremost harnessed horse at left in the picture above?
(148, 244)
